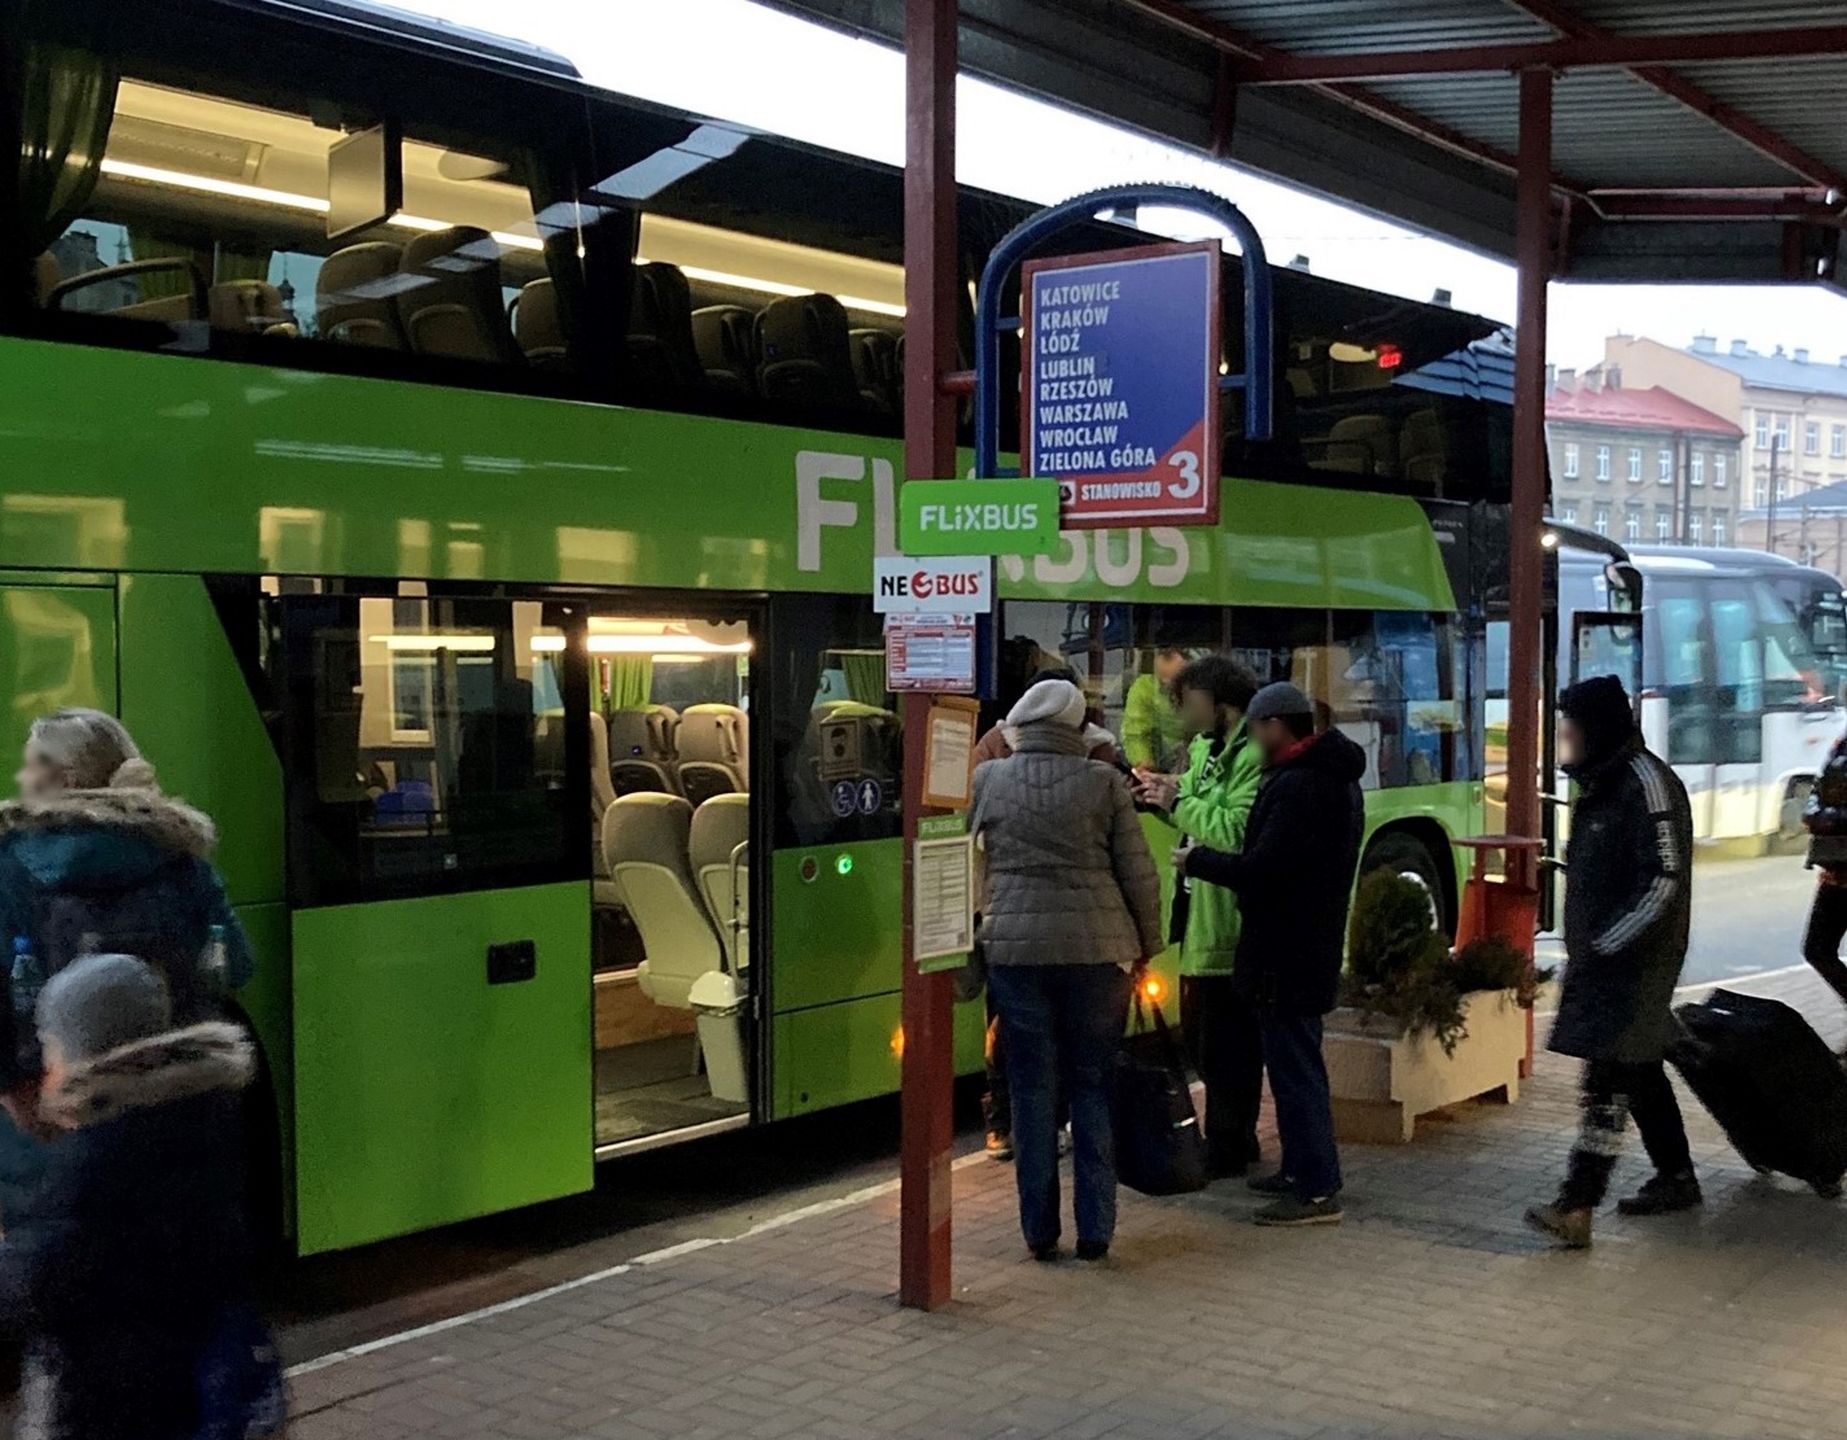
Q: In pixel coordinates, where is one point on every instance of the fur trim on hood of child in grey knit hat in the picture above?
(175, 1066)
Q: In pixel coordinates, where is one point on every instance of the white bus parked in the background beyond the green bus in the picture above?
(1733, 693)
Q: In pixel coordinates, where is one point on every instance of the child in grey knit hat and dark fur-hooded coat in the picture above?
(130, 1254)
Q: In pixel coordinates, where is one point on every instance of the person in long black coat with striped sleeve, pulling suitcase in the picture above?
(1628, 902)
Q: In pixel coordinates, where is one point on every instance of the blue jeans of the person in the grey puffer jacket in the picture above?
(1063, 1027)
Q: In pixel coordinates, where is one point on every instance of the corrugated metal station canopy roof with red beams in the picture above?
(1693, 139)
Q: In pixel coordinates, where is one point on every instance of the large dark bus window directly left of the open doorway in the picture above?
(426, 747)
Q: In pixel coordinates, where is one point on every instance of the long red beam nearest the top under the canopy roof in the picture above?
(1602, 49)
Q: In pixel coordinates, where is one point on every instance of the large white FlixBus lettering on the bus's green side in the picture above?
(847, 499)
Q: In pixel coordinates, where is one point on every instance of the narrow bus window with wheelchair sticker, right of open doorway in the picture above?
(838, 741)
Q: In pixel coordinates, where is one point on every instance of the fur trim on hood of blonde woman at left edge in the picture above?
(110, 837)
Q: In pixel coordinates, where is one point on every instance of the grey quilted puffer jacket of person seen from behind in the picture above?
(1070, 876)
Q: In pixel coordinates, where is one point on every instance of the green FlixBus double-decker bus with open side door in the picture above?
(465, 483)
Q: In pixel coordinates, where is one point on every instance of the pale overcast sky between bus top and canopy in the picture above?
(742, 62)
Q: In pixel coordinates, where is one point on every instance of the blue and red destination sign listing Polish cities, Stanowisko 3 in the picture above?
(1120, 398)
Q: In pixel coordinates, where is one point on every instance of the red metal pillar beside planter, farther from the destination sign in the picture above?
(1528, 512)
